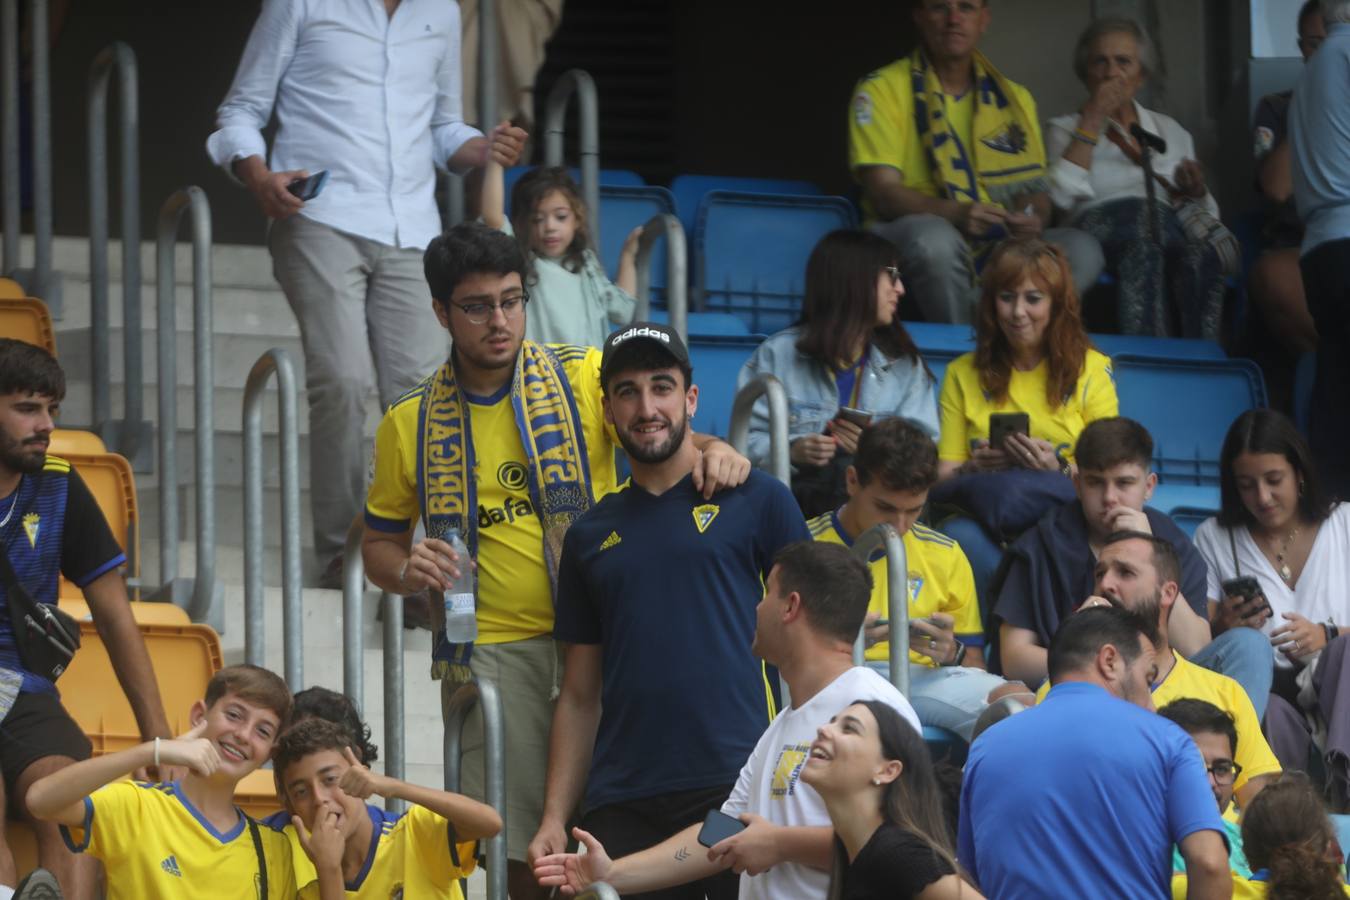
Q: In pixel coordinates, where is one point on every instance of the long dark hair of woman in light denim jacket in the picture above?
(839, 310)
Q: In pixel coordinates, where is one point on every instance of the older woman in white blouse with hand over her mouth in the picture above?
(1097, 181)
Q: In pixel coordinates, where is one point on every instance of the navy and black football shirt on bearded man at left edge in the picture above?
(56, 527)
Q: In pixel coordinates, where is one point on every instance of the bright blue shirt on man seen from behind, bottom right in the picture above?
(1082, 797)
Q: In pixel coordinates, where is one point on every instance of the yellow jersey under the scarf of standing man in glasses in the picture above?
(515, 596)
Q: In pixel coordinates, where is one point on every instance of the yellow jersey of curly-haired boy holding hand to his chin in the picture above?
(412, 855)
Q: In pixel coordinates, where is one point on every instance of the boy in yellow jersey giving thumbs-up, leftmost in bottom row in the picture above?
(186, 839)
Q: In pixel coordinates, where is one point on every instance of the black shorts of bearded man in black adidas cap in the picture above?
(637, 825)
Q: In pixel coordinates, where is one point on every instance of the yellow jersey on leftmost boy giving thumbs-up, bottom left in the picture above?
(155, 844)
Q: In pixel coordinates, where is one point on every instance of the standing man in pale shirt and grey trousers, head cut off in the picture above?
(369, 94)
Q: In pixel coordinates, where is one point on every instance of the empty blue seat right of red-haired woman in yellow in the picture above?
(1187, 405)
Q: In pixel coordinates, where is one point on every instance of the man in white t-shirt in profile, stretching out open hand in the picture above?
(812, 611)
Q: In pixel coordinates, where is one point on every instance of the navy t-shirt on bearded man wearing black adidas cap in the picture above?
(669, 586)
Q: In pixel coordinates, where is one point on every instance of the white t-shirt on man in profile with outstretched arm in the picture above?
(770, 785)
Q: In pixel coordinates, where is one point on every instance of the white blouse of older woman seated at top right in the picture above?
(1113, 175)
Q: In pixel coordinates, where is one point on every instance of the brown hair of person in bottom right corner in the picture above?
(1286, 831)
